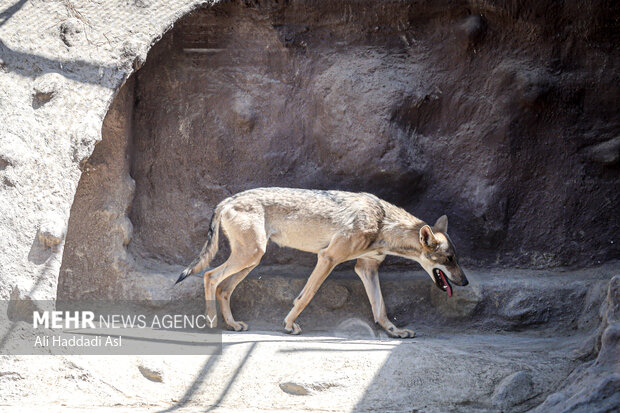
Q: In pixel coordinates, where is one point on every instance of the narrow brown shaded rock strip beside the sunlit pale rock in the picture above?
(99, 230)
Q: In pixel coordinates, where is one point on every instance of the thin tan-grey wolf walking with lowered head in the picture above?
(337, 226)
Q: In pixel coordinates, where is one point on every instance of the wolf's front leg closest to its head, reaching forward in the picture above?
(368, 270)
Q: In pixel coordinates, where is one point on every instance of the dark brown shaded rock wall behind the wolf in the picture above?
(505, 118)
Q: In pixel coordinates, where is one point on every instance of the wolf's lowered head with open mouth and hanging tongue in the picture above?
(438, 256)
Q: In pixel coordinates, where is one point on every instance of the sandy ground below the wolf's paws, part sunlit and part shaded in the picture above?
(260, 371)
